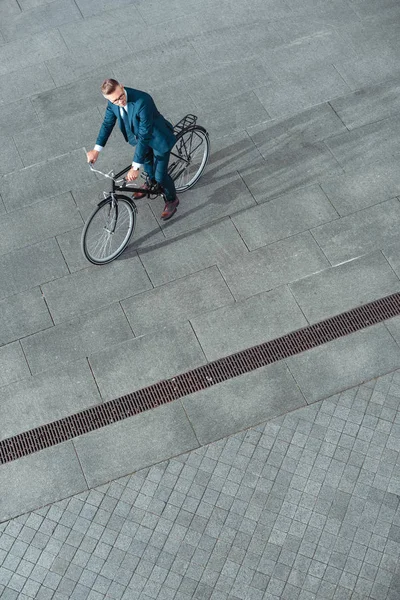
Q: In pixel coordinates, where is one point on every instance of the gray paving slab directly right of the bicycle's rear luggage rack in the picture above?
(227, 117)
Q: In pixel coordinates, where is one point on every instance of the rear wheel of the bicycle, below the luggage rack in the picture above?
(189, 157)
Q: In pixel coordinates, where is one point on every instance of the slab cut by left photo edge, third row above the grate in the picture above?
(22, 315)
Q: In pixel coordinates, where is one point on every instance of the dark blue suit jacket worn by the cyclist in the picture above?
(148, 126)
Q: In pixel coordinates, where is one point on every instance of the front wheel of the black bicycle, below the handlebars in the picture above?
(108, 230)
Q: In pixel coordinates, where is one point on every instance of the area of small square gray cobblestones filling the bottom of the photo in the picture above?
(303, 507)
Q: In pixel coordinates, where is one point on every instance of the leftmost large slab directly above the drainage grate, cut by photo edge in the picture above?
(52, 395)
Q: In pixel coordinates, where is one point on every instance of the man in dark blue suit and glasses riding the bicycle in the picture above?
(145, 128)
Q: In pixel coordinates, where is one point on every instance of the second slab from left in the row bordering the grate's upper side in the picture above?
(131, 365)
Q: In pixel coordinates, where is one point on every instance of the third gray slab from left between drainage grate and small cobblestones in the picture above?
(242, 402)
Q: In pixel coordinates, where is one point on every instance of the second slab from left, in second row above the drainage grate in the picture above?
(64, 343)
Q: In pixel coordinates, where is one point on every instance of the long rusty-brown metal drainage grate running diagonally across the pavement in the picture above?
(198, 379)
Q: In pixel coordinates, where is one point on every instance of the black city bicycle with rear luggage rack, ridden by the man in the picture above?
(110, 227)
